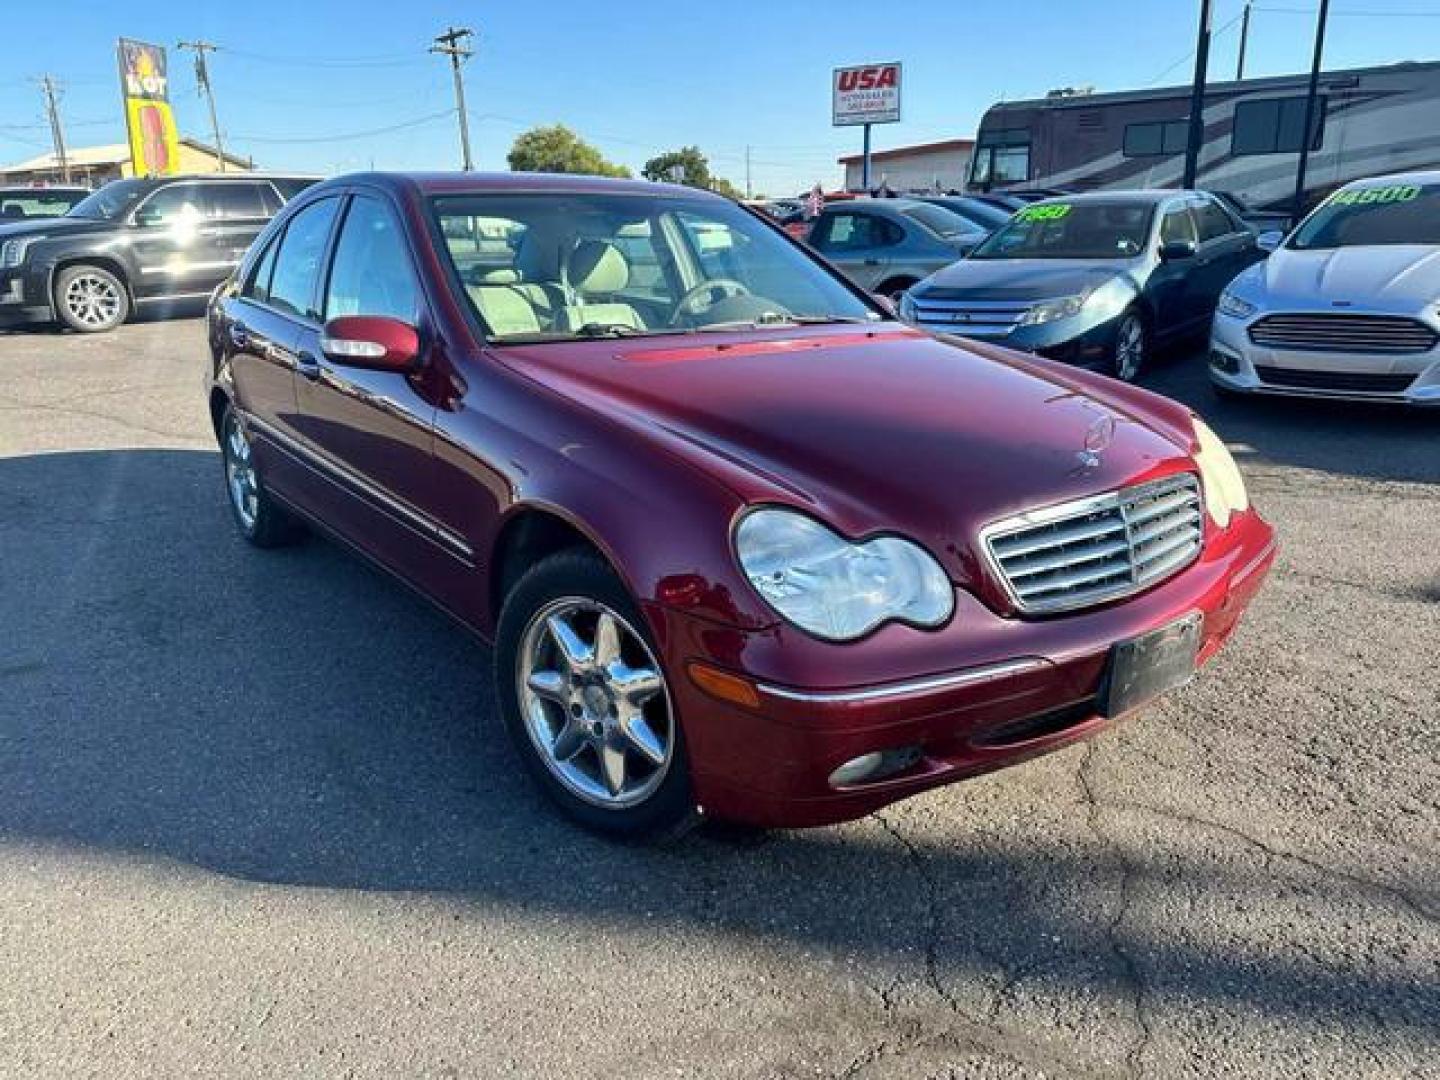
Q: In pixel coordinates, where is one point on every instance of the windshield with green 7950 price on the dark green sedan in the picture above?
(1094, 230)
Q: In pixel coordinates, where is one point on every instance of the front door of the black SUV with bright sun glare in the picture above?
(175, 244)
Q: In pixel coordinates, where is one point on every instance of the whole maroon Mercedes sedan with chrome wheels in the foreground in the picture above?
(745, 545)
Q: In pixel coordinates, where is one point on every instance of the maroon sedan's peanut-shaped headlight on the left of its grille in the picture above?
(837, 590)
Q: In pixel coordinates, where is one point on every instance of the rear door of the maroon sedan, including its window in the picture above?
(261, 330)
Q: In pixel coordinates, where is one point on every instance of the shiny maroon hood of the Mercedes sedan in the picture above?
(873, 430)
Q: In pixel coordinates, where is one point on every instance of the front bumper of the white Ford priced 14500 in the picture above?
(1242, 366)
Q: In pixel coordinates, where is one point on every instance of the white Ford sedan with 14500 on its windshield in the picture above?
(1347, 307)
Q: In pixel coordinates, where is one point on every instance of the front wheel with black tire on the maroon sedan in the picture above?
(587, 702)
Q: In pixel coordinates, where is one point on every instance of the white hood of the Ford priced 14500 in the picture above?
(1399, 276)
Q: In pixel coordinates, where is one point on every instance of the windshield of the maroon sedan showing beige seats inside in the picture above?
(564, 267)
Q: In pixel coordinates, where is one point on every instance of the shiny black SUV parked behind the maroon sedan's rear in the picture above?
(135, 243)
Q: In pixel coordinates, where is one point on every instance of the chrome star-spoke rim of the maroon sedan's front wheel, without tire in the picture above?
(594, 703)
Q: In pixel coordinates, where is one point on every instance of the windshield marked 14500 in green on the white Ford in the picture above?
(1376, 214)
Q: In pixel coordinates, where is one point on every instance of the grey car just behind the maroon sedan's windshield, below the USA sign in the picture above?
(886, 246)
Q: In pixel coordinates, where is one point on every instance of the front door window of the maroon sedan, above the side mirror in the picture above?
(372, 271)
